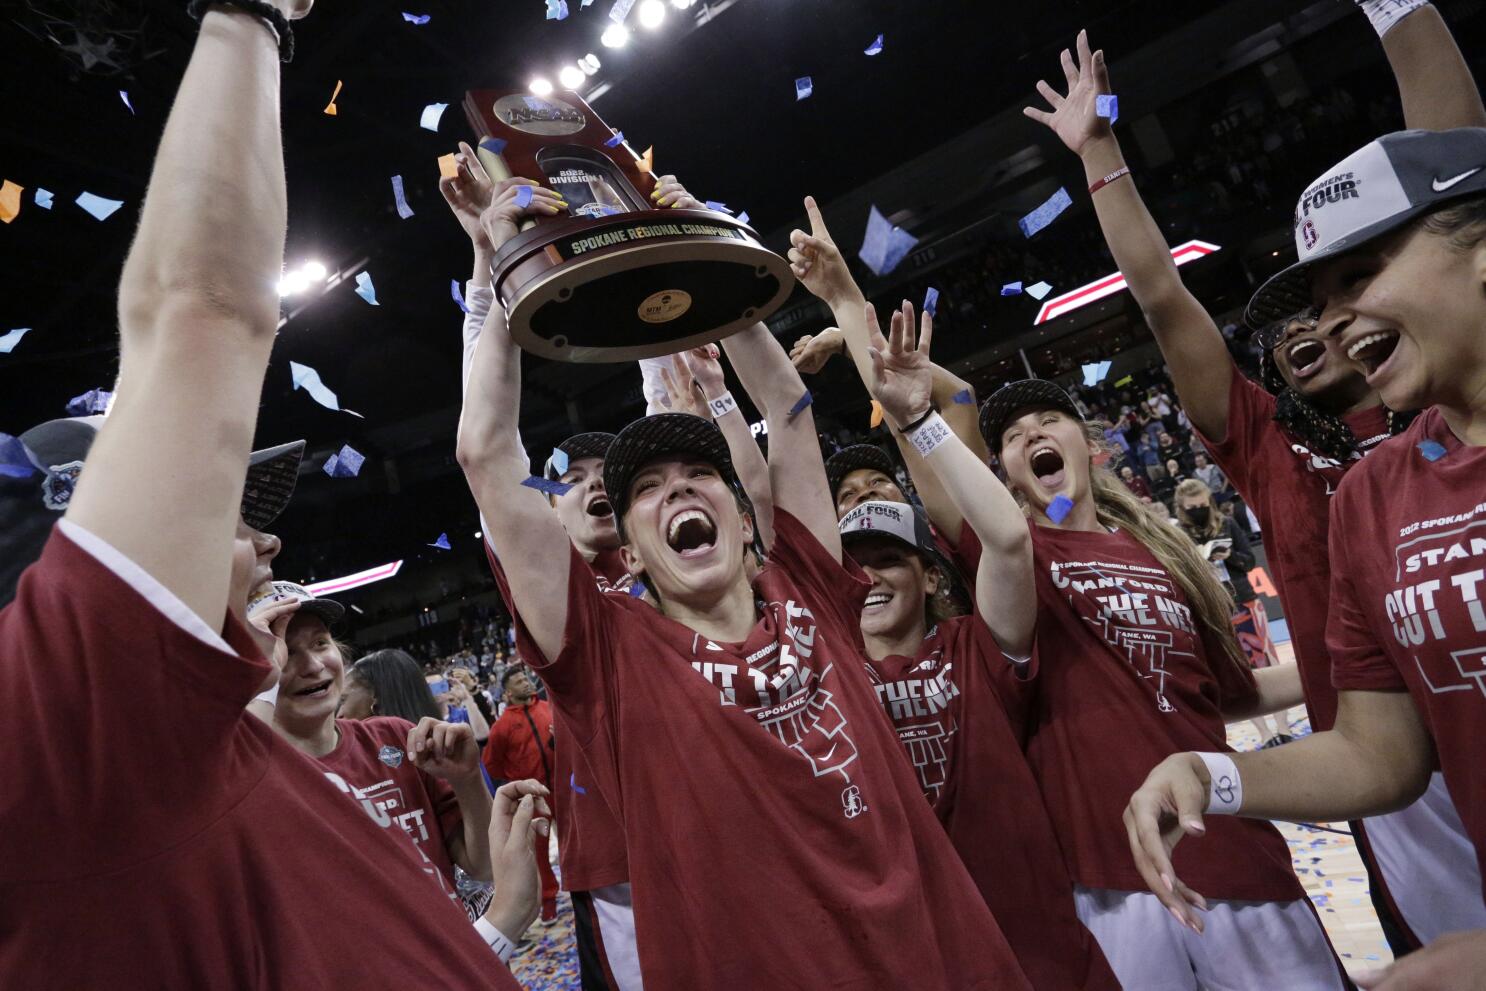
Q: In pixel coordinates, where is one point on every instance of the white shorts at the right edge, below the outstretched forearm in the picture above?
(1429, 865)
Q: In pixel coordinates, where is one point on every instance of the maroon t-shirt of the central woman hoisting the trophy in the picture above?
(778, 839)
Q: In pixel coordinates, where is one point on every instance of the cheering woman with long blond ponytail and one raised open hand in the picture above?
(1133, 646)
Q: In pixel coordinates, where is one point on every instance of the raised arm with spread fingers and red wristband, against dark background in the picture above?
(1190, 341)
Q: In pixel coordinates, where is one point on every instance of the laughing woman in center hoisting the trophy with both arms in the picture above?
(739, 720)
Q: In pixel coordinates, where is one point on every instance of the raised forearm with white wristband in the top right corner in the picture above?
(1435, 84)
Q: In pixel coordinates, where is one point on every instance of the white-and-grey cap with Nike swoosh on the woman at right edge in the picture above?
(1369, 194)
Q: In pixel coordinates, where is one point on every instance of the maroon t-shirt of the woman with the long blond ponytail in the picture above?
(1120, 681)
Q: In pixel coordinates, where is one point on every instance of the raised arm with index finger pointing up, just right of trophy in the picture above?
(817, 262)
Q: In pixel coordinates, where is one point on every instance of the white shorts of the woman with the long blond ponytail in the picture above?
(1245, 946)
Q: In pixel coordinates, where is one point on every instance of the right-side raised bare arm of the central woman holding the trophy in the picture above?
(797, 473)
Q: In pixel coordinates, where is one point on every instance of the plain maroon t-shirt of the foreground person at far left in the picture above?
(158, 836)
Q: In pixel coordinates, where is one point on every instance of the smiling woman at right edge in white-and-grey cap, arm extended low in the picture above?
(1399, 283)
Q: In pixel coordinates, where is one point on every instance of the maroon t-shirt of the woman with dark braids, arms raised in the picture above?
(1289, 488)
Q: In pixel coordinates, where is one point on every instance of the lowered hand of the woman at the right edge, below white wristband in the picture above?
(1169, 808)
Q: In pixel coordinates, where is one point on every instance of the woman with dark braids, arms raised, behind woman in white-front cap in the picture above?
(1289, 442)
